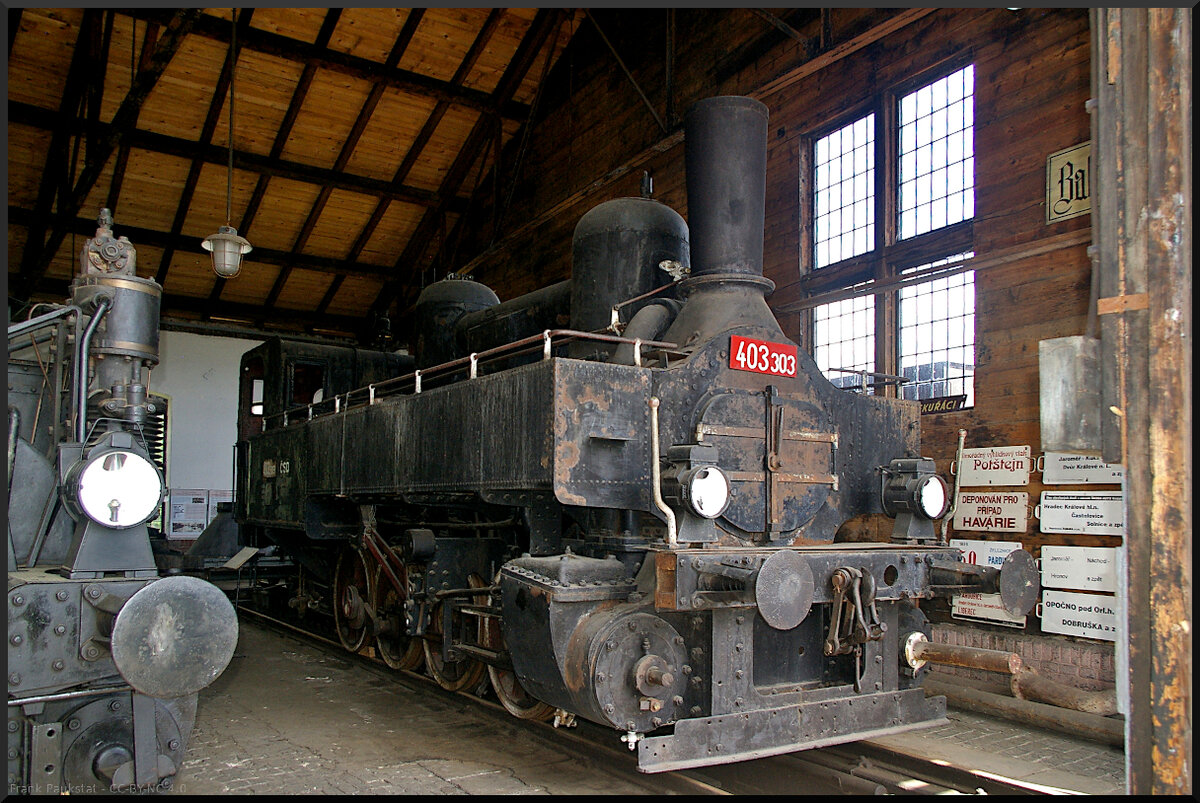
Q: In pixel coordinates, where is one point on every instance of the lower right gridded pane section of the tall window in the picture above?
(938, 335)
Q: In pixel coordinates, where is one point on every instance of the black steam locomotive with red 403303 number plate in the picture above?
(637, 529)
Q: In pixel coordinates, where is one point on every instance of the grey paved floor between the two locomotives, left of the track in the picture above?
(286, 720)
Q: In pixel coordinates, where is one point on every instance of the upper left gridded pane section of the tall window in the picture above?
(844, 170)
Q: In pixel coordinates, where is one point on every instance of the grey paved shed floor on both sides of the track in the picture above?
(292, 718)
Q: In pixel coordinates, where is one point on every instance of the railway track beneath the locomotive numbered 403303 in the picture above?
(856, 769)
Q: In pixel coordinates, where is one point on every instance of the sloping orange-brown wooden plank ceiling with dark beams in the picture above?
(359, 137)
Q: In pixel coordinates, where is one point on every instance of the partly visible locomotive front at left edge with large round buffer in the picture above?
(105, 657)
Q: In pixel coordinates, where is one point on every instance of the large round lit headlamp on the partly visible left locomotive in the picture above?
(118, 488)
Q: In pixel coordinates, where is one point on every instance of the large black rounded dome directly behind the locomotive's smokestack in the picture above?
(619, 250)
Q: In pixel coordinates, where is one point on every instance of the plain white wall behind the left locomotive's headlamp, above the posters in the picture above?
(200, 375)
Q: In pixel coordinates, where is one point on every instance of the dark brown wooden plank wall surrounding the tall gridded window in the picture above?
(1033, 81)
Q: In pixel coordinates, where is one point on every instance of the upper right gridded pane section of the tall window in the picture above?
(935, 135)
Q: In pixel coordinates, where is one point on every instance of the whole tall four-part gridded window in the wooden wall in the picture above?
(929, 197)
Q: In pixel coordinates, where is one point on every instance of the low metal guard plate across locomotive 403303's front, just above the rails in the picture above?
(772, 732)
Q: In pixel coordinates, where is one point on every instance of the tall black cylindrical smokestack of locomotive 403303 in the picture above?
(725, 153)
